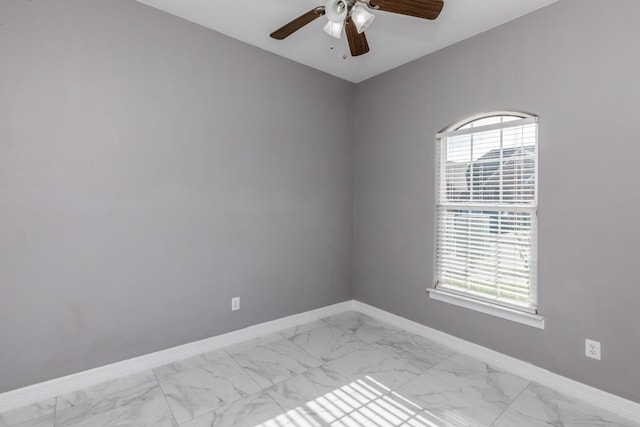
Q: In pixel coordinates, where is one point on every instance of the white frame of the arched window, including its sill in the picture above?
(521, 314)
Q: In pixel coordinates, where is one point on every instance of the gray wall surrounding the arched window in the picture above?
(576, 65)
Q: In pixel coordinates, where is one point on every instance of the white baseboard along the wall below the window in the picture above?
(612, 403)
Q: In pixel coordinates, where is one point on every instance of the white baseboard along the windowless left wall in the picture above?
(58, 386)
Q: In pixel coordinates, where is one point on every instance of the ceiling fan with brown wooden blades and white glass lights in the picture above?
(351, 16)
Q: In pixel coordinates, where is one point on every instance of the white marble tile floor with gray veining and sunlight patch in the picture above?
(348, 370)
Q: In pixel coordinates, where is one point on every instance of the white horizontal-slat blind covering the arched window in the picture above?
(486, 245)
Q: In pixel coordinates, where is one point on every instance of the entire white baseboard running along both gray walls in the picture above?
(45, 390)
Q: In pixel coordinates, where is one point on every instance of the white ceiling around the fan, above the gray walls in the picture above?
(394, 39)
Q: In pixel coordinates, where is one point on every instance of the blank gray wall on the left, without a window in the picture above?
(151, 169)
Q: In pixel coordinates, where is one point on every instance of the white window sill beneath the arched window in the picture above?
(533, 320)
